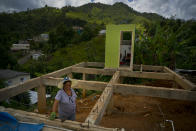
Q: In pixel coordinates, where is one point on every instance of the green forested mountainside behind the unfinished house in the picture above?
(159, 41)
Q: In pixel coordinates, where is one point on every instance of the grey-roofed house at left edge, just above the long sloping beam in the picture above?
(12, 77)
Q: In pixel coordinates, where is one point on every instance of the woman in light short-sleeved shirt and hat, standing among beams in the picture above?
(65, 100)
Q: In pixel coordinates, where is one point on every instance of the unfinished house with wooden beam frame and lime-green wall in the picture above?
(105, 108)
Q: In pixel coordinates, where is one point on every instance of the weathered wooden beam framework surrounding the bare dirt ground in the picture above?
(139, 71)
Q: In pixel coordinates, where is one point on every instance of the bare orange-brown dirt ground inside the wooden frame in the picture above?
(139, 113)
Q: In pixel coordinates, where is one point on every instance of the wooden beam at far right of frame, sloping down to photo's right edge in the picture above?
(183, 82)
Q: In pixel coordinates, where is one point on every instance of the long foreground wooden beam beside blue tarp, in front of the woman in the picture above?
(38, 118)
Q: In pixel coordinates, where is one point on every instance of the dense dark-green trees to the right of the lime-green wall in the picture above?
(169, 42)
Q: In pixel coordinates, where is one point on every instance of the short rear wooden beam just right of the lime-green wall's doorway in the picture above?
(148, 68)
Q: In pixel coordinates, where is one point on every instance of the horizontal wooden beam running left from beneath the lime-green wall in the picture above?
(92, 71)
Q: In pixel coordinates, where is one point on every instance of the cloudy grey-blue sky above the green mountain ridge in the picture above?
(183, 9)
